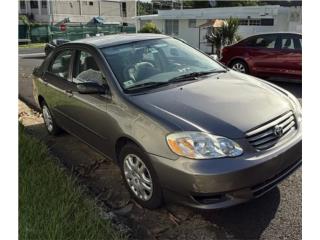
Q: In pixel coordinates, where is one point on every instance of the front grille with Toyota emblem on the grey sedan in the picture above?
(268, 134)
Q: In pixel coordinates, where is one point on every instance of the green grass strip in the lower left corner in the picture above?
(51, 204)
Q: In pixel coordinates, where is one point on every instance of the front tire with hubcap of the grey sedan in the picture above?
(139, 176)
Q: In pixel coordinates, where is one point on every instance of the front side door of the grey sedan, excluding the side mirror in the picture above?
(88, 112)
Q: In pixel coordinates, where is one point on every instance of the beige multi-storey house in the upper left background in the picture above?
(79, 11)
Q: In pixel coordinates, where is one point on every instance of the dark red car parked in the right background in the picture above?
(272, 55)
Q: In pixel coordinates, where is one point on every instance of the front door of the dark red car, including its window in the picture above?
(263, 53)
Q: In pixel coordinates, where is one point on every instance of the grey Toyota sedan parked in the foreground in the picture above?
(181, 126)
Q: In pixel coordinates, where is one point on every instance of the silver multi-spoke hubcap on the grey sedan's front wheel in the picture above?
(138, 177)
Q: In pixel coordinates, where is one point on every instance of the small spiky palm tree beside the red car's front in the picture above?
(225, 35)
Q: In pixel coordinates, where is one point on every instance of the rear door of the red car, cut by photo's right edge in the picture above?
(290, 56)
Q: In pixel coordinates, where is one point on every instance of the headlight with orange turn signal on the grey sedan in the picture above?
(200, 145)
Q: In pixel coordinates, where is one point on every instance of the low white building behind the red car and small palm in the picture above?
(185, 23)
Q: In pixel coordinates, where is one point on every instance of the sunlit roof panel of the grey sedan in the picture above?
(117, 39)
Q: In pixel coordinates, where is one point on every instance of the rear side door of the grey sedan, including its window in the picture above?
(59, 85)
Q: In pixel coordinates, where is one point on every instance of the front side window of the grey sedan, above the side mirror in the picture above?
(87, 70)
